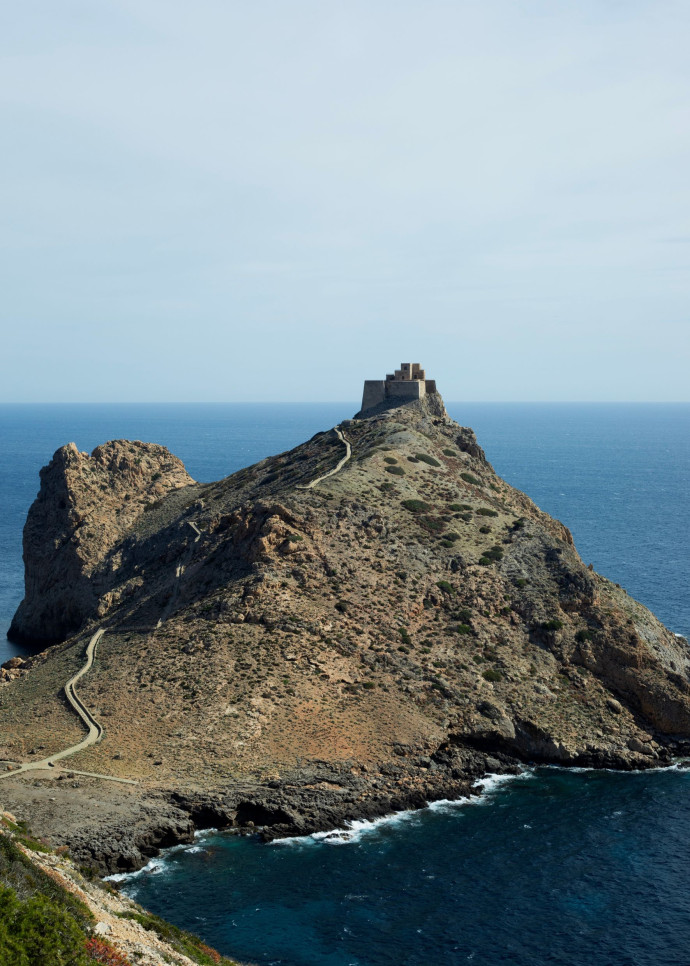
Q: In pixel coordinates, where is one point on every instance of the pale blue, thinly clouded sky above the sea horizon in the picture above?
(261, 200)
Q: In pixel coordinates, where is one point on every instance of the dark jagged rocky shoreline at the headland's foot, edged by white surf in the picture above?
(320, 799)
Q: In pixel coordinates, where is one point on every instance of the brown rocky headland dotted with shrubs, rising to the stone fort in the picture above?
(294, 655)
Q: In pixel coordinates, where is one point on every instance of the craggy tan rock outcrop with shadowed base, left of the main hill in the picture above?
(85, 505)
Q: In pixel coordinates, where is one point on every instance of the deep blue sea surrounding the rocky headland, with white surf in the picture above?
(555, 866)
